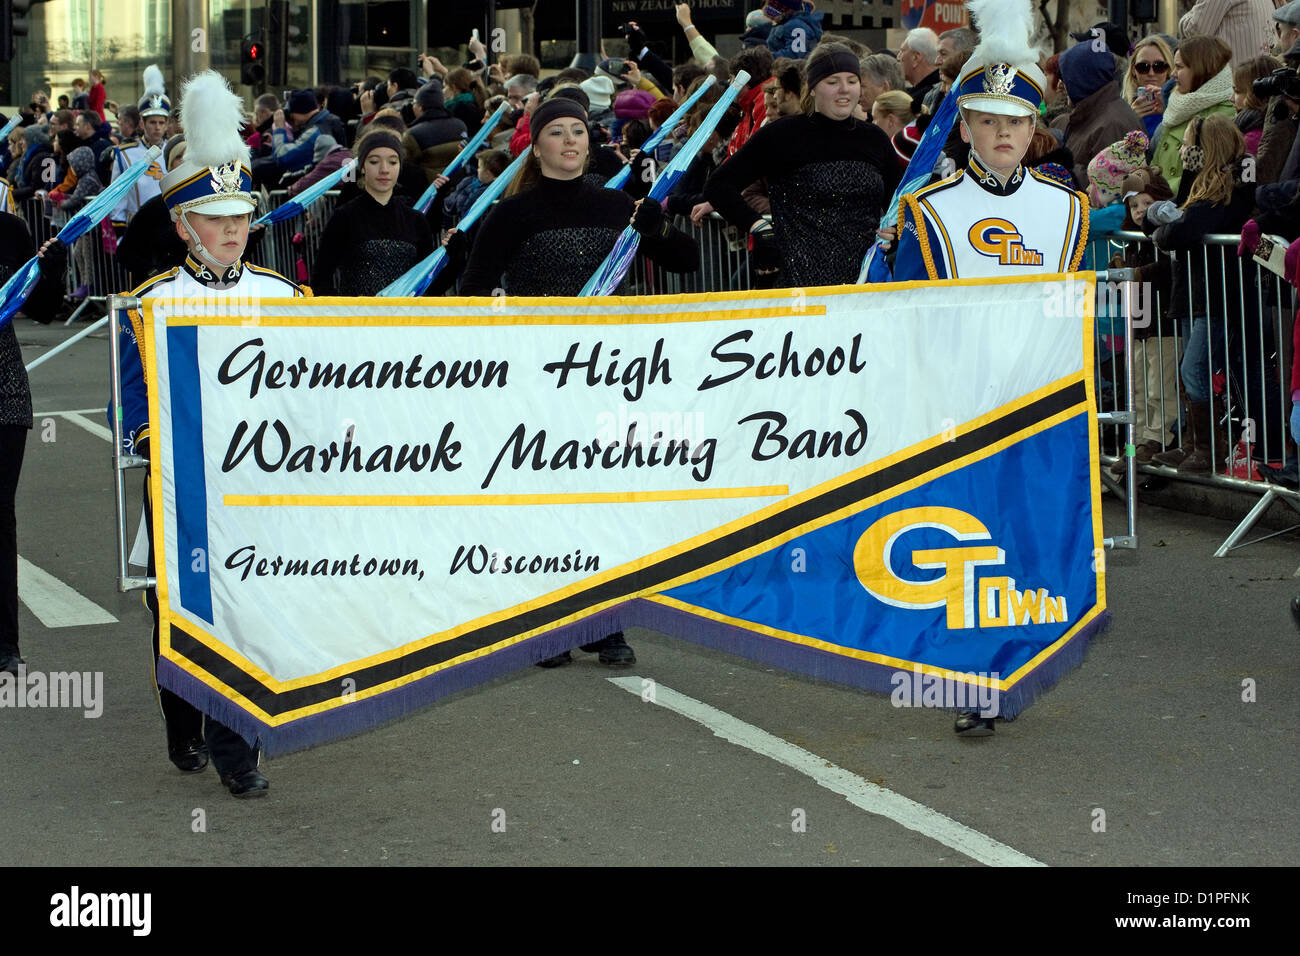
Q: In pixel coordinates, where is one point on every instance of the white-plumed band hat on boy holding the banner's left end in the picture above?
(215, 178)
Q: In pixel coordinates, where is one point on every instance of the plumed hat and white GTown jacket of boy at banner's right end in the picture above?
(973, 224)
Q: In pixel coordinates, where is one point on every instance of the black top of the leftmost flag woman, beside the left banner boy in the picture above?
(367, 245)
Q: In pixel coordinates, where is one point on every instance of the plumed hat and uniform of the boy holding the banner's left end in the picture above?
(214, 180)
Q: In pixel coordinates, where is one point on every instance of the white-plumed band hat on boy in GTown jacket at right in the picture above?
(1003, 73)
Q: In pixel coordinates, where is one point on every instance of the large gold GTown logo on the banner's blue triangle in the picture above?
(991, 602)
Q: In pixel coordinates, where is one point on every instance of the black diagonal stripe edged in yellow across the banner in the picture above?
(665, 570)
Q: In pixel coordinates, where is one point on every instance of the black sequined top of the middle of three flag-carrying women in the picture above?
(552, 239)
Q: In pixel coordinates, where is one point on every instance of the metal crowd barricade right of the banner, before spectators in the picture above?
(1241, 321)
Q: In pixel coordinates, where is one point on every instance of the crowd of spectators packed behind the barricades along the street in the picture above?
(1154, 109)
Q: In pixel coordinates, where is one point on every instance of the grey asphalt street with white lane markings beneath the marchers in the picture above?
(1172, 745)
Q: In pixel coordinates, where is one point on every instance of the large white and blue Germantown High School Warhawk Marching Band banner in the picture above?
(365, 505)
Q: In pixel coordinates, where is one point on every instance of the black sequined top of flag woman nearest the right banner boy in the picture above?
(829, 183)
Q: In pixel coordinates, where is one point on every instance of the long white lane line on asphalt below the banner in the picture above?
(857, 791)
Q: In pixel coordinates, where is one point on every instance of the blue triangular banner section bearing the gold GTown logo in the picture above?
(977, 572)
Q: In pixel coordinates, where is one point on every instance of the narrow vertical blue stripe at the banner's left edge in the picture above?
(192, 487)
